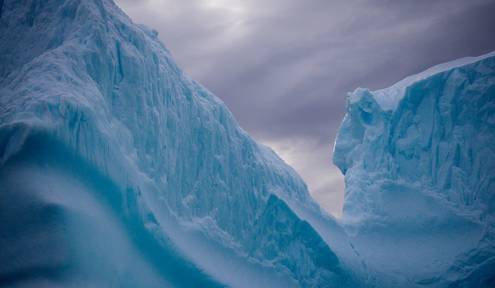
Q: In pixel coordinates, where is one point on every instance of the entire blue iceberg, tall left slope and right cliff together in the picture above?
(117, 169)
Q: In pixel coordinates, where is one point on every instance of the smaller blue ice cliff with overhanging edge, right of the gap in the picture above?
(419, 165)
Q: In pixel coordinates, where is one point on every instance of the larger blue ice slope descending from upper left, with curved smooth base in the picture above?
(117, 170)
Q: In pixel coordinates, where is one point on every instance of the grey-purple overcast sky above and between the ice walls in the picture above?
(284, 67)
